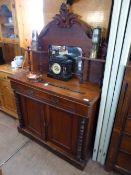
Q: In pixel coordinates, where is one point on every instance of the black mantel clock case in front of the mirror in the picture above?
(66, 68)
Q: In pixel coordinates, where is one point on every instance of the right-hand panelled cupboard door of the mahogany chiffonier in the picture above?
(62, 129)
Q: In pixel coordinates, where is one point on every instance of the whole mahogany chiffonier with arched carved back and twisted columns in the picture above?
(61, 115)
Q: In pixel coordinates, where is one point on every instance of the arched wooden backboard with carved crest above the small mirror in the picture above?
(66, 29)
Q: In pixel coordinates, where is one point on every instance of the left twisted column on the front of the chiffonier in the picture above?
(21, 121)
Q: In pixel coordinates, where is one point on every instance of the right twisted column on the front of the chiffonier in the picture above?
(80, 138)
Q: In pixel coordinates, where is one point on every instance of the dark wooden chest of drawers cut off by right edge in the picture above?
(119, 154)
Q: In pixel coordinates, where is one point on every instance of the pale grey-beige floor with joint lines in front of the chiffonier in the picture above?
(21, 156)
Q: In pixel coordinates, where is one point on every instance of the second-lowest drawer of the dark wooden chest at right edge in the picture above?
(126, 143)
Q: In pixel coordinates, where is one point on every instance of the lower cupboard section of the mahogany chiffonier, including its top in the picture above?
(60, 119)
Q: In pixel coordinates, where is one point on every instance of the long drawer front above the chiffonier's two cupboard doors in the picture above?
(80, 109)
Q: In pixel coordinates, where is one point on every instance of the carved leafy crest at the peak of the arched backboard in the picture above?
(65, 19)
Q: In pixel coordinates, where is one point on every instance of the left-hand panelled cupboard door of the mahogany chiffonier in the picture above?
(33, 114)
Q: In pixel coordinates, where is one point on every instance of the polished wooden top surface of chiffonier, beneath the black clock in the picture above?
(85, 93)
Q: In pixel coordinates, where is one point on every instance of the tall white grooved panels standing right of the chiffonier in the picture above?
(117, 56)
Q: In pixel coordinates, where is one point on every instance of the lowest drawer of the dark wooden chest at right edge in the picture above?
(124, 161)
